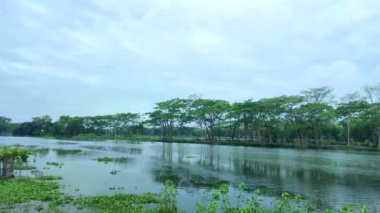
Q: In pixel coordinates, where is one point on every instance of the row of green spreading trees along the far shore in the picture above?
(311, 117)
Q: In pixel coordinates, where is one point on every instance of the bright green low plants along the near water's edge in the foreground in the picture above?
(45, 196)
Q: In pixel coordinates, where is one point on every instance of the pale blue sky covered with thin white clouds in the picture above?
(69, 57)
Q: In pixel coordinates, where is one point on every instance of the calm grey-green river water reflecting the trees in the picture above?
(327, 178)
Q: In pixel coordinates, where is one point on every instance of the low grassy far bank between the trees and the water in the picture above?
(192, 140)
